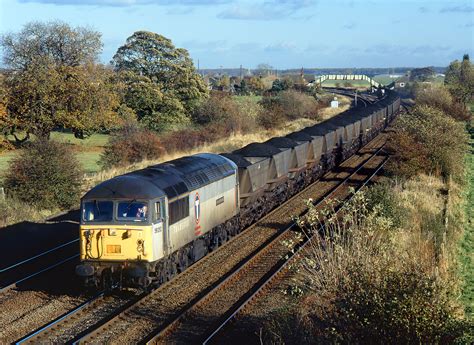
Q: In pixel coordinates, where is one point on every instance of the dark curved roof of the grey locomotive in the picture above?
(171, 178)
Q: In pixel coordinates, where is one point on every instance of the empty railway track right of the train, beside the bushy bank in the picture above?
(204, 320)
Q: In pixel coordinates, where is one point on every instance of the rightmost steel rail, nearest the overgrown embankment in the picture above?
(284, 266)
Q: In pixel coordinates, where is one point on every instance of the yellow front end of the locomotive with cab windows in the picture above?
(119, 241)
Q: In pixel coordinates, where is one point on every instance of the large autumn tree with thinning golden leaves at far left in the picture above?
(54, 81)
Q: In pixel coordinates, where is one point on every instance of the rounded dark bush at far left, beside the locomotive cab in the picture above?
(45, 174)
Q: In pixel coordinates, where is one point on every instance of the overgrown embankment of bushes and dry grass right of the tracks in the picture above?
(413, 279)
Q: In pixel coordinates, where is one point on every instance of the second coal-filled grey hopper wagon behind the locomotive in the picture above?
(279, 160)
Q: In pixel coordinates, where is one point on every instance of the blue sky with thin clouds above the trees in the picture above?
(282, 33)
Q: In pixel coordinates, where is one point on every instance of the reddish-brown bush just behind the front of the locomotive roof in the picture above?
(131, 145)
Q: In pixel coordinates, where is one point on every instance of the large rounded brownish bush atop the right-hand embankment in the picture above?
(427, 140)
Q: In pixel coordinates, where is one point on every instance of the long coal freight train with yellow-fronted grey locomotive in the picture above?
(142, 228)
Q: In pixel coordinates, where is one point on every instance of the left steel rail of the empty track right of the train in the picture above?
(163, 331)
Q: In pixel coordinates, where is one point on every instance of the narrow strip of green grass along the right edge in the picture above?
(467, 243)
